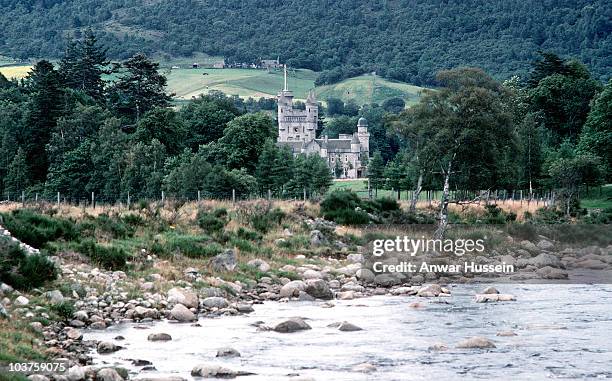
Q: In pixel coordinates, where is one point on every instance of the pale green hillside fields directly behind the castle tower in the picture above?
(186, 83)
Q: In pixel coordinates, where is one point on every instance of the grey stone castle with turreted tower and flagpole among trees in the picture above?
(346, 156)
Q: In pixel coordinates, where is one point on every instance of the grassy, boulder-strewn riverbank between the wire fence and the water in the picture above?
(300, 257)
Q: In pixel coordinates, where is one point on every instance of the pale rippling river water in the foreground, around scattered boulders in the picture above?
(563, 332)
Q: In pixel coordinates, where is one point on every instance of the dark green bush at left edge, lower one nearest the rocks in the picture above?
(23, 271)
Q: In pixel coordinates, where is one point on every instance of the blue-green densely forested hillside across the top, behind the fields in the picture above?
(407, 40)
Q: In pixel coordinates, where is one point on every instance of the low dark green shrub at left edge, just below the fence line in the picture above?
(37, 229)
